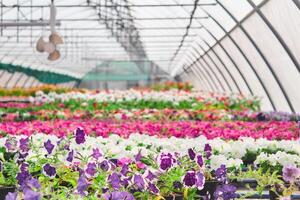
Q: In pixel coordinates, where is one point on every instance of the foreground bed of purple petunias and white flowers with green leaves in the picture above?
(79, 166)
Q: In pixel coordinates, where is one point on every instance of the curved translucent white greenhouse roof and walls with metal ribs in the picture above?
(240, 46)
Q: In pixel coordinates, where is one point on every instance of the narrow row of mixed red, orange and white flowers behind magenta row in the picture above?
(140, 114)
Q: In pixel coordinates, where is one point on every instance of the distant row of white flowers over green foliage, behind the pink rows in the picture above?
(151, 99)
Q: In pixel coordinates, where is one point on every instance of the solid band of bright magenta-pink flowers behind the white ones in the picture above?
(181, 129)
